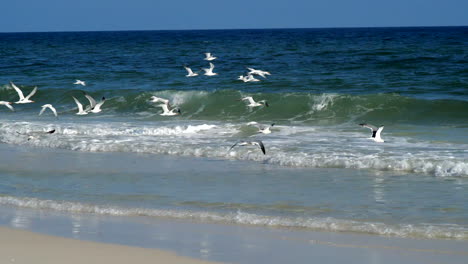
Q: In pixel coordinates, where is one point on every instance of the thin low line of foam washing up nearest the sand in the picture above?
(433, 231)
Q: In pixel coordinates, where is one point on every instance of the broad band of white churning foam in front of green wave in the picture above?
(288, 146)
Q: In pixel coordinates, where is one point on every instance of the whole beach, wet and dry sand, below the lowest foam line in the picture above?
(191, 242)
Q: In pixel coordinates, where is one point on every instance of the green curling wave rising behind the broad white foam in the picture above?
(225, 105)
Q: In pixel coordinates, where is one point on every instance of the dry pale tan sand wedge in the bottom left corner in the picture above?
(20, 246)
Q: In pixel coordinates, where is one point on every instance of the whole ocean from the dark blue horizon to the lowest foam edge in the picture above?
(321, 171)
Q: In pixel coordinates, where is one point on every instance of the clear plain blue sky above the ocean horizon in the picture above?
(91, 15)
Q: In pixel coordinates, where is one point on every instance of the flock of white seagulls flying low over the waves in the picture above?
(169, 110)
